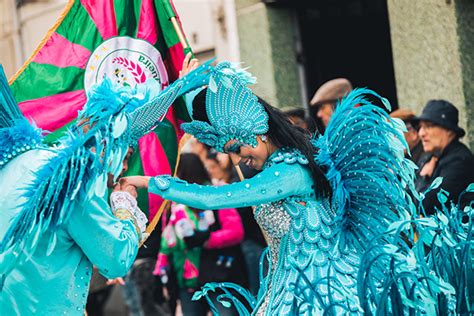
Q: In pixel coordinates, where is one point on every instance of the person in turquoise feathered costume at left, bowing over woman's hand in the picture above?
(55, 220)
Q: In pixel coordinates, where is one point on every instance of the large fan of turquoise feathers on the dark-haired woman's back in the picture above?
(363, 152)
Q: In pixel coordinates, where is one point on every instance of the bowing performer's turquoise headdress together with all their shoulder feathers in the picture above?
(113, 119)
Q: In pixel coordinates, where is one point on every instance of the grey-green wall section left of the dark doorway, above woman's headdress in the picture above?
(267, 46)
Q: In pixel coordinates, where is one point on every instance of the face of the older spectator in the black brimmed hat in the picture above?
(434, 137)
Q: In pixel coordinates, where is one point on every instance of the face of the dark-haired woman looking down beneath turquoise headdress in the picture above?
(253, 157)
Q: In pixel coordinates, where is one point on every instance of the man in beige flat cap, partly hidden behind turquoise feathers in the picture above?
(326, 97)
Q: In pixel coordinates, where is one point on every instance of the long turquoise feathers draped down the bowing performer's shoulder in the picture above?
(70, 171)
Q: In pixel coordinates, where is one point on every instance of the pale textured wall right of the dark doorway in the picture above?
(433, 47)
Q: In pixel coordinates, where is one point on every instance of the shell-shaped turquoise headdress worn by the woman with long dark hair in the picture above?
(234, 112)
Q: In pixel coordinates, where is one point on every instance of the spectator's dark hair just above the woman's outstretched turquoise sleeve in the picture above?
(192, 170)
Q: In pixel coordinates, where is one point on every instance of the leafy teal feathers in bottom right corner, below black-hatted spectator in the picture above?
(432, 273)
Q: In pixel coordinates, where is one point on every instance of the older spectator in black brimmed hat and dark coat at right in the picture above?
(450, 159)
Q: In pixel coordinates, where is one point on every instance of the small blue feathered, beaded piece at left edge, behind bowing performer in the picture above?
(17, 135)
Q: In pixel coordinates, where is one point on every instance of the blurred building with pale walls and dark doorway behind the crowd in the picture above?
(409, 51)
